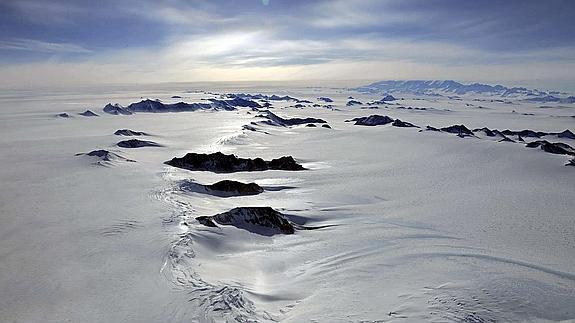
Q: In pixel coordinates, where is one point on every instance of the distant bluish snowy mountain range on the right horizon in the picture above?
(453, 88)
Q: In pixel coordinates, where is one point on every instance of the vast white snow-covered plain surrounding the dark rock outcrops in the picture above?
(421, 225)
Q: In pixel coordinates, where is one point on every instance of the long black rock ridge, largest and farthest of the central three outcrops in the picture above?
(221, 163)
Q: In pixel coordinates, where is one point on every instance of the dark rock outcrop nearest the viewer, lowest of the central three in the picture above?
(264, 220)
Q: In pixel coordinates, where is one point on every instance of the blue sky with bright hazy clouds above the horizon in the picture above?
(64, 42)
